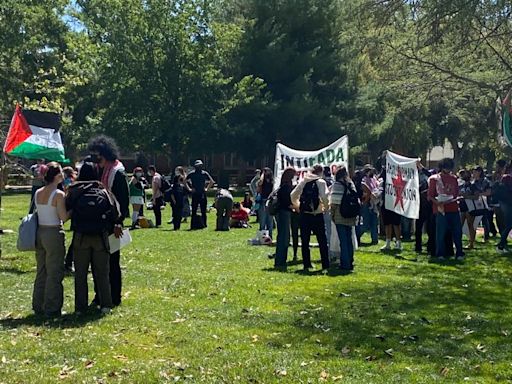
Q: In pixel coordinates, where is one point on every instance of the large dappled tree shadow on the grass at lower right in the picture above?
(448, 318)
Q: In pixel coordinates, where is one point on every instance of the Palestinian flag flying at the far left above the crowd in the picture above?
(35, 135)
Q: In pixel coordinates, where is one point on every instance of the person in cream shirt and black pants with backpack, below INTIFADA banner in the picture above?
(310, 196)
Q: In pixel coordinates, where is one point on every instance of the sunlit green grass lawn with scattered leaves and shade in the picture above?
(205, 307)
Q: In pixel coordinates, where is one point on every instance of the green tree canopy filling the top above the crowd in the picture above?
(196, 76)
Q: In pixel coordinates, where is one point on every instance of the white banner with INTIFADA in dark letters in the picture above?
(333, 155)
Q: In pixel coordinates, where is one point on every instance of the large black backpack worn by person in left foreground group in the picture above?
(94, 210)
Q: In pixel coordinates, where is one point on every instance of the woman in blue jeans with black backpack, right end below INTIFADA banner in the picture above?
(344, 206)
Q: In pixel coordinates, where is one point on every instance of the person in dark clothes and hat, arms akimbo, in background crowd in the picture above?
(200, 182)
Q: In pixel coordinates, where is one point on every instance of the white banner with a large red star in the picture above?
(402, 189)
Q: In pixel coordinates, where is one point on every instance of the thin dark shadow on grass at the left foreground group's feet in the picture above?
(64, 321)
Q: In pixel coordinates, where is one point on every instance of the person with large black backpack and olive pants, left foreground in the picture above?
(94, 213)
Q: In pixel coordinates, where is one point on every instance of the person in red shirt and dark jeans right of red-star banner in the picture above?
(443, 192)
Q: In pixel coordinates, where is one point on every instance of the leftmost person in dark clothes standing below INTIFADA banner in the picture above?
(283, 218)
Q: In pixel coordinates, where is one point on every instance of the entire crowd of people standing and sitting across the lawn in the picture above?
(327, 202)
